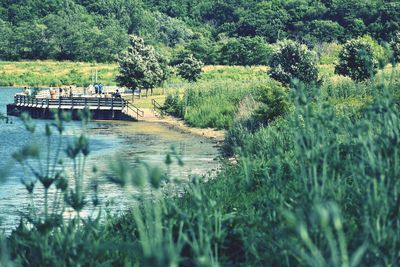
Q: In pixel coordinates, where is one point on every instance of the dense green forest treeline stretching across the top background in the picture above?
(216, 32)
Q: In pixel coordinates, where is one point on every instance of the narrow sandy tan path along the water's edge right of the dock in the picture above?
(179, 124)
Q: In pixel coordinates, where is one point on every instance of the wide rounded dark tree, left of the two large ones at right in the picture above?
(292, 60)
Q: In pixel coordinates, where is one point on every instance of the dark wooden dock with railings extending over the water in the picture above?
(110, 108)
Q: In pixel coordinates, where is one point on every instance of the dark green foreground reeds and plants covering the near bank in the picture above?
(314, 185)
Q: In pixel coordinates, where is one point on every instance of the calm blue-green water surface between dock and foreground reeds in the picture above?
(108, 140)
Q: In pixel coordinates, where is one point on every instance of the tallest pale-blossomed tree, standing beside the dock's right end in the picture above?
(140, 66)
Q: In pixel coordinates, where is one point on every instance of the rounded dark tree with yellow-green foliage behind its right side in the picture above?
(356, 60)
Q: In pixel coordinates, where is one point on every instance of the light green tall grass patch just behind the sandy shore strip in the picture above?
(213, 101)
